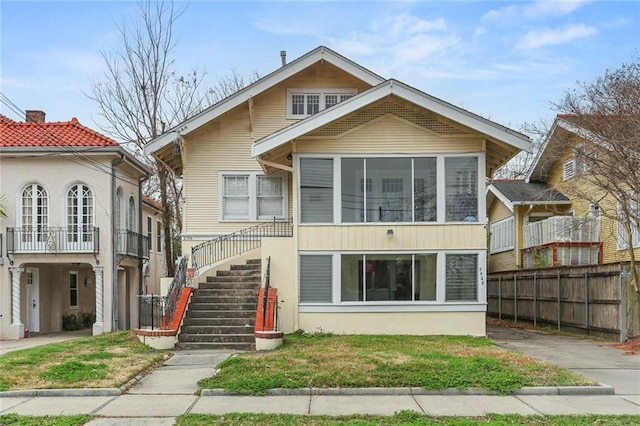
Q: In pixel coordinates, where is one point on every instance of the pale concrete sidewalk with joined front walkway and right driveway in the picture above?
(169, 391)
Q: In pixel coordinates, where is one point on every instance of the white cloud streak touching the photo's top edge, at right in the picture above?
(534, 10)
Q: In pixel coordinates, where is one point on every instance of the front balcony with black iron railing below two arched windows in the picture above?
(72, 239)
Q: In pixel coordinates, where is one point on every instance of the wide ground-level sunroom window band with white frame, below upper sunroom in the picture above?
(389, 277)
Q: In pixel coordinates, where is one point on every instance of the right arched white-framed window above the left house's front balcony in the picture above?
(79, 214)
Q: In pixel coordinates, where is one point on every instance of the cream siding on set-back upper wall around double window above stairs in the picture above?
(225, 144)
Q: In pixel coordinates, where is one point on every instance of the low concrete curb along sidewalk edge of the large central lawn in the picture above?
(542, 390)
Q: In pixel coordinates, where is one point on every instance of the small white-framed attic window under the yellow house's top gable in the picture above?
(305, 102)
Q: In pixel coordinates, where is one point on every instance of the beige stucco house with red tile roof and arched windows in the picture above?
(75, 244)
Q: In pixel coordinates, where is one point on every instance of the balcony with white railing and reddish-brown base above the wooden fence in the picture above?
(562, 240)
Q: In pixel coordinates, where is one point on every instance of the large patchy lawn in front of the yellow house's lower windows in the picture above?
(341, 361)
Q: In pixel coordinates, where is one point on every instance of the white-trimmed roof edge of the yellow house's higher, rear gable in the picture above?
(266, 82)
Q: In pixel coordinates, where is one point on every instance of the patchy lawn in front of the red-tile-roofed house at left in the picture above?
(107, 360)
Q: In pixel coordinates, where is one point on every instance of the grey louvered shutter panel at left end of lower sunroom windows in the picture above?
(315, 278)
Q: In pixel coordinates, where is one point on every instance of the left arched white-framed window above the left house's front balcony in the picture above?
(34, 213)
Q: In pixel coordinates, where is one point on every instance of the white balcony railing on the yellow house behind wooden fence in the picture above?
(562, 229)
